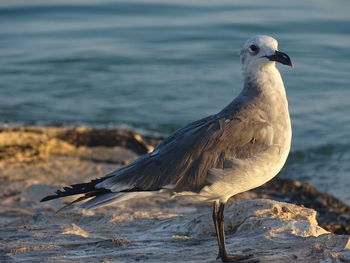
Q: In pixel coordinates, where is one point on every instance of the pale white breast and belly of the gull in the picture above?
(250, 173)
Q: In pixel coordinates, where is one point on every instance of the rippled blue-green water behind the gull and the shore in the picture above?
(157, 65)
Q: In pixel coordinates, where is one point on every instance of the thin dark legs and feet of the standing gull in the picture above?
(220, 234)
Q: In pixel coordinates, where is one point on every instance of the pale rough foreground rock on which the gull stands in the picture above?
(268, 231)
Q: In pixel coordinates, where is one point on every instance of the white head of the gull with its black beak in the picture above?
(260, 51)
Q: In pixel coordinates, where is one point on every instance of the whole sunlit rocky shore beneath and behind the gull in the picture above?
(35, 160)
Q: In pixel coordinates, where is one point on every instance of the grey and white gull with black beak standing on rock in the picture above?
(212, 159)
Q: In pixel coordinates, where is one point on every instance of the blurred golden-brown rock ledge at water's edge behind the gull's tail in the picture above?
(30, 143)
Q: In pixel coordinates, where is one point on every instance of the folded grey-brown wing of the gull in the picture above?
(184, 158)
